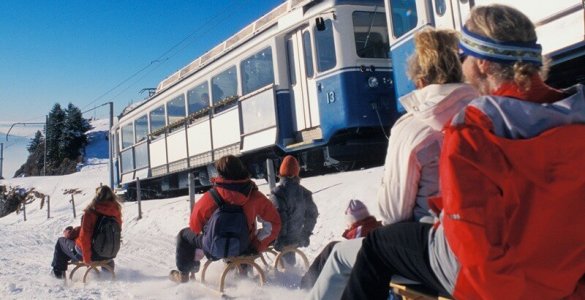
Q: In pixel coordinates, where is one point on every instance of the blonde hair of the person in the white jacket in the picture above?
(436, 58)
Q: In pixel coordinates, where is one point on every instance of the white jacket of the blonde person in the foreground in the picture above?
(411, 173)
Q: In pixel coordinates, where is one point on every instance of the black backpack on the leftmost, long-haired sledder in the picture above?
(106, 238)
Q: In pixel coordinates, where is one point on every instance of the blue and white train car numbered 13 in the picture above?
(310, 78)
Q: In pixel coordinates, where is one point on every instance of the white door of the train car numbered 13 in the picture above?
(301, 71)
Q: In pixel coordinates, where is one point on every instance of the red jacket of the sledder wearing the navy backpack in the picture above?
(243, 193)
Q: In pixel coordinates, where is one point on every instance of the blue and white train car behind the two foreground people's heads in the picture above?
(560, 27)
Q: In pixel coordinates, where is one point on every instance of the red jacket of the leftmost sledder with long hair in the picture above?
(83, 241)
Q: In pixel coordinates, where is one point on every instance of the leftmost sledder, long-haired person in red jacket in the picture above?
(75, 244)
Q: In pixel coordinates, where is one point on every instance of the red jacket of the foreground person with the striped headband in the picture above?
(513, 208)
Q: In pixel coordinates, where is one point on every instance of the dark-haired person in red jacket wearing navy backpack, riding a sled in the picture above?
(235, 187)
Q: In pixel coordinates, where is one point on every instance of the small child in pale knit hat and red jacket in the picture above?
(360, 223)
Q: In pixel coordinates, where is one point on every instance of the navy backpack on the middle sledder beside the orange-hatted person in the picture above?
(226, 233)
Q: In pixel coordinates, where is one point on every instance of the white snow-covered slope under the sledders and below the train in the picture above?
(147, 253)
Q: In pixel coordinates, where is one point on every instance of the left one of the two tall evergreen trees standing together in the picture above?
(54, 133)
